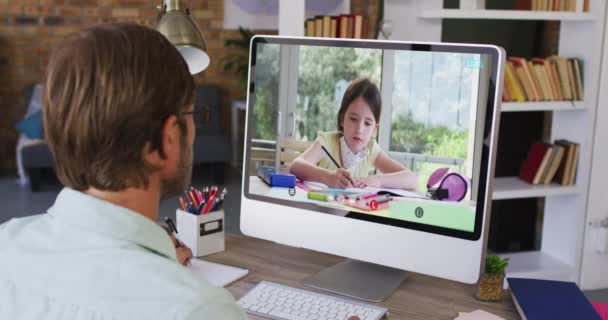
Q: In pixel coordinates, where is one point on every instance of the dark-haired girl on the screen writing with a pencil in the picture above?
(348, 157)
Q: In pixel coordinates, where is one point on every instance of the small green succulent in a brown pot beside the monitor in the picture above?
(489, 287)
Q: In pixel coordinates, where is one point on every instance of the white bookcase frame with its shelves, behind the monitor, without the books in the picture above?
(565, 209)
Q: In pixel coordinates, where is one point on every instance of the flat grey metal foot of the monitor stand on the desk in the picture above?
(358, 279)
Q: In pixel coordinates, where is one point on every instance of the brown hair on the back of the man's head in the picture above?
(108, 91)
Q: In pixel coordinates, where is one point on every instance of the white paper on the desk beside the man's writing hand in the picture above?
(218, 275)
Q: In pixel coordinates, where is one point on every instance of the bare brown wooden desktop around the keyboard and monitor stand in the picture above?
(419, 297)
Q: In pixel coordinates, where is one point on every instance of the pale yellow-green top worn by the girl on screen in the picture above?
(331, 141)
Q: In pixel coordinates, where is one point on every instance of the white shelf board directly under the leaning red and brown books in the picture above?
(514, 188)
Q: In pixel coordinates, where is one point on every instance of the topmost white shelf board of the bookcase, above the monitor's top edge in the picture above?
(506, 15)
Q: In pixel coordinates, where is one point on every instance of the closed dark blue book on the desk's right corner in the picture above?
(545, 299)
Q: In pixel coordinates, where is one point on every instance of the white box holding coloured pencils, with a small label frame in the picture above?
(203, 234)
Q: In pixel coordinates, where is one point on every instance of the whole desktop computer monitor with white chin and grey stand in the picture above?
(439, 109)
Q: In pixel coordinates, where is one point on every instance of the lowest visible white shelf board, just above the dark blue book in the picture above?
(537, 265)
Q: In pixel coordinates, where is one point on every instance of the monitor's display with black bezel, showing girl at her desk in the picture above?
(390, 133)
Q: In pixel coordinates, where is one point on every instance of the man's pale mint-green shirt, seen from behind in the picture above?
(90, 259)
